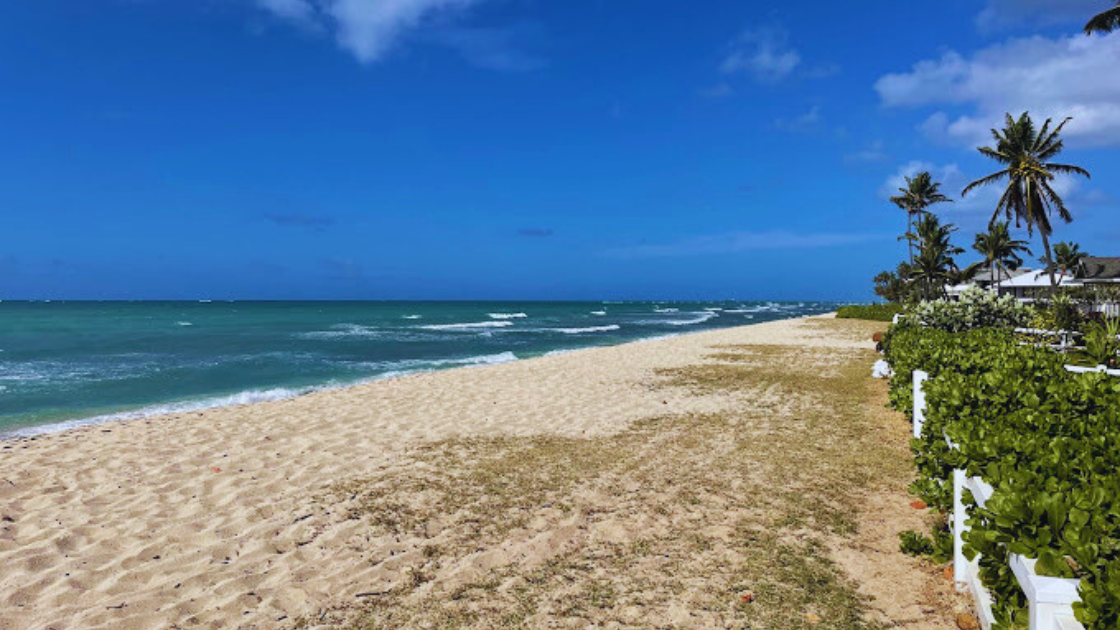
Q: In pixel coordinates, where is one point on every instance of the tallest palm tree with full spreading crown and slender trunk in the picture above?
(1030, 199)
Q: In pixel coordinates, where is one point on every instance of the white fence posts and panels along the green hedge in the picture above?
(1051, 599)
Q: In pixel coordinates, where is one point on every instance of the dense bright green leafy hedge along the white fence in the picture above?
(1047, 440)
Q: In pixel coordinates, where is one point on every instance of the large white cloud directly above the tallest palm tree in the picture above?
(1072, 77)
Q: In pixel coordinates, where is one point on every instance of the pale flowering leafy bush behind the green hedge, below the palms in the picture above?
(977, 309)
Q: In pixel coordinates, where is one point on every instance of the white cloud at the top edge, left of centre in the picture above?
(369, 30)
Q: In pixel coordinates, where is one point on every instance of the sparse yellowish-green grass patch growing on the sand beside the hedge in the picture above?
(693, 521)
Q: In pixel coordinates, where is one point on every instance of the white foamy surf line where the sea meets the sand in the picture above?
(278, 394)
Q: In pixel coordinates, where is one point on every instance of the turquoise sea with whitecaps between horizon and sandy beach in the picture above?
(70, 363)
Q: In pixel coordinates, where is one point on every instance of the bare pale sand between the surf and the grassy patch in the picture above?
(197, 521)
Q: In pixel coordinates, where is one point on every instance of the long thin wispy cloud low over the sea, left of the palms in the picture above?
(743, 242)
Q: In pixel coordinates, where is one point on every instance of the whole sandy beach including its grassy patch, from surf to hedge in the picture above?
(354, 507)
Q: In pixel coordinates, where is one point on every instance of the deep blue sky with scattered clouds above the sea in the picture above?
(380, 150)
